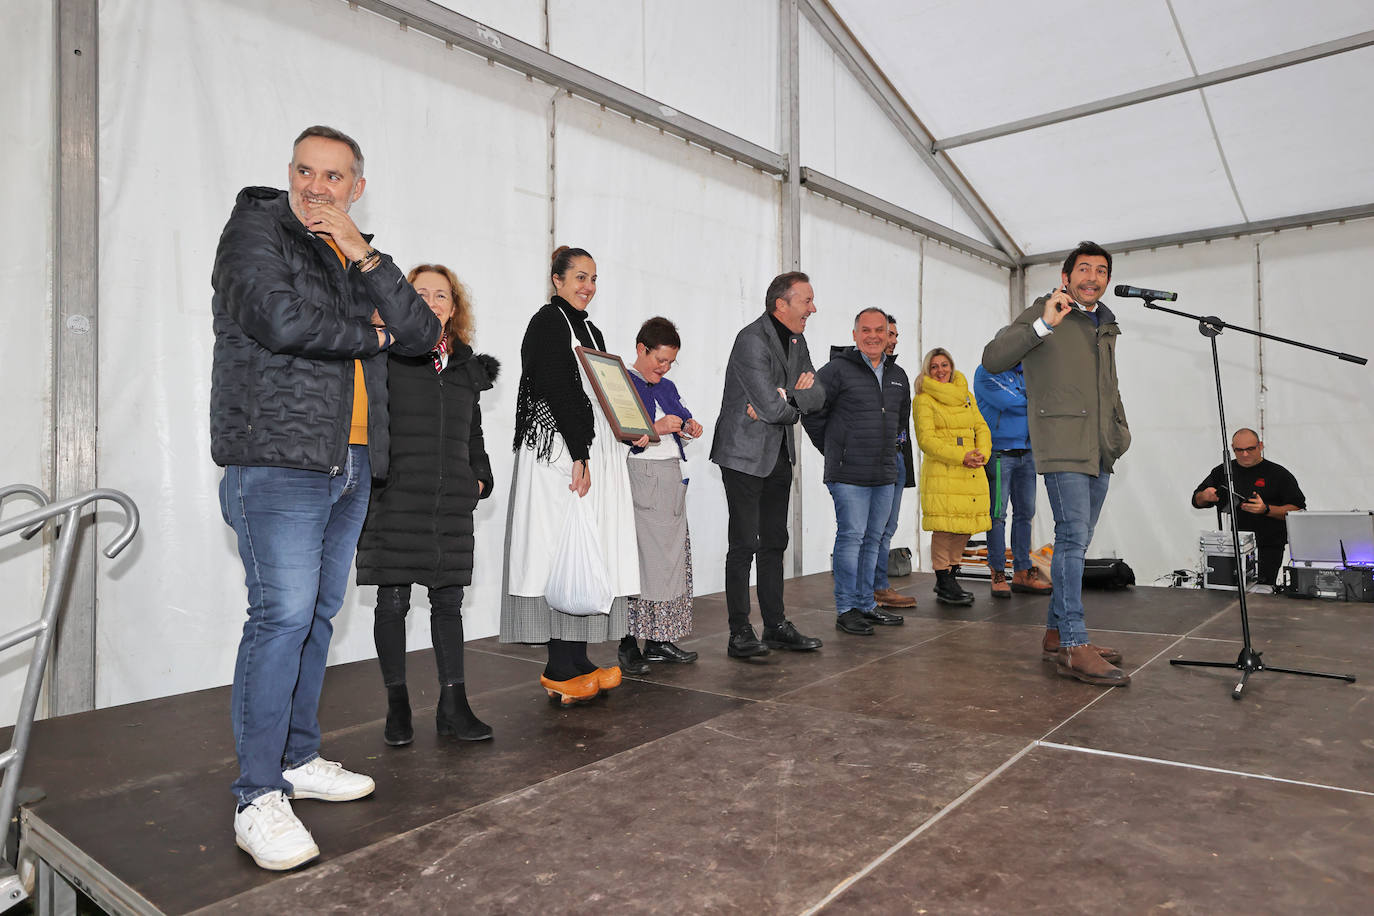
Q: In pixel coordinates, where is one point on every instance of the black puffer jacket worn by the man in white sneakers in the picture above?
(289, 322)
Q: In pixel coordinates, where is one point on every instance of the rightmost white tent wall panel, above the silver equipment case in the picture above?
(1318, 411)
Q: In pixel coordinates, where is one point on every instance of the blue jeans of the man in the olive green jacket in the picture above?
(1077, 502)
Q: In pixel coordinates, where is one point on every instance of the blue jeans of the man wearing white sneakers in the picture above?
(297, 532)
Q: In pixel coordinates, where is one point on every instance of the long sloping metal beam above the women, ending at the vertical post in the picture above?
(469, 35)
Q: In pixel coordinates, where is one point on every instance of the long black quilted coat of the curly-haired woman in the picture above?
(420, 524)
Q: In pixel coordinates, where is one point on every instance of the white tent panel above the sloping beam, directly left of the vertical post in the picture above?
(714, 60)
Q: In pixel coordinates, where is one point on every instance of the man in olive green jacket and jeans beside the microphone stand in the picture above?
(1067, 345)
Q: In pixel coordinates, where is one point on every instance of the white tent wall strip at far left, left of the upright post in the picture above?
(27, 156)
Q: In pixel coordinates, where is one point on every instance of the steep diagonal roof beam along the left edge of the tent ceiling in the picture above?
(892, 105)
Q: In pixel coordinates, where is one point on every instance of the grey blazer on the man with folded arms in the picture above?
(756, 370)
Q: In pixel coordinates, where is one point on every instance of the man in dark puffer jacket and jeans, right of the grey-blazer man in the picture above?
(857, 431)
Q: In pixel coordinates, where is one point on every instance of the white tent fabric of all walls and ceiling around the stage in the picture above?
(487, 171)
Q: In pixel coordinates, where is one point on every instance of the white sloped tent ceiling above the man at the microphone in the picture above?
(1281, 144)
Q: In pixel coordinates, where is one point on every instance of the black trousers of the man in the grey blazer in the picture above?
(758, 529)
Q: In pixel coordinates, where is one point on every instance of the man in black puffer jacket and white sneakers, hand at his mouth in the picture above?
(304, 314)
